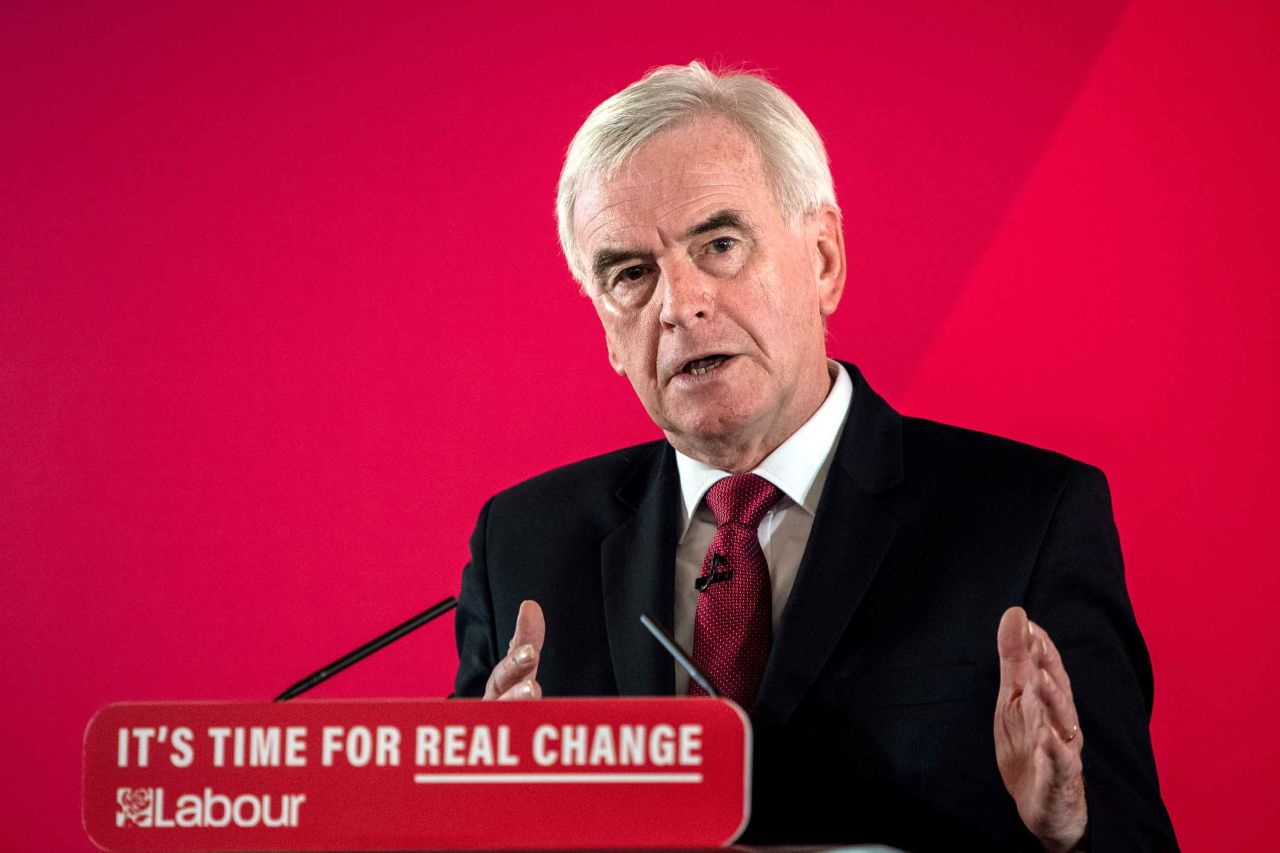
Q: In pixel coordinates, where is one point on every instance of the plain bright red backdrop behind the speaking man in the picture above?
(281, 305)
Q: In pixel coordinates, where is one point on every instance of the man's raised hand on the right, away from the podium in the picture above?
(1039, 738)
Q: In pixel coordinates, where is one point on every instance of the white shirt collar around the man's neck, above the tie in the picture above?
(798, 467)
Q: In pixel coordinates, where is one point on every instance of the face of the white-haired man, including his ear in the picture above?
(714, 307)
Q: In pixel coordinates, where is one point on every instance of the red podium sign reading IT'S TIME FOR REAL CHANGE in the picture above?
(406, 774)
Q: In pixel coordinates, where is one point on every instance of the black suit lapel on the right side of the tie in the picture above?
(857, 519)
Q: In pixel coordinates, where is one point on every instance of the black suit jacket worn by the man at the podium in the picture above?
(875, 719)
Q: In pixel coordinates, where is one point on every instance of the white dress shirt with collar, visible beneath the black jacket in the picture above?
(799, 469)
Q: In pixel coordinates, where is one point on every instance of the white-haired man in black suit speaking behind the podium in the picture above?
(862, 578)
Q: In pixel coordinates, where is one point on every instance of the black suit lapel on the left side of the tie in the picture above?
(638, 562)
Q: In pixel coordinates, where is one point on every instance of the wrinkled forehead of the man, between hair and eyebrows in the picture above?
(673, 183)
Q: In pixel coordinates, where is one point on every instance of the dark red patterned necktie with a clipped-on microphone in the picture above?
(735, 615)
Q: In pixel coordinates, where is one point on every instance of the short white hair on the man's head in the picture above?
(794, 158)
